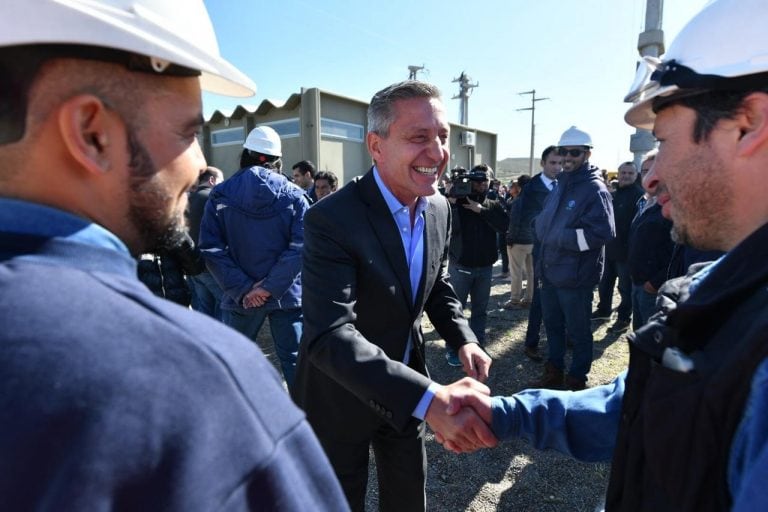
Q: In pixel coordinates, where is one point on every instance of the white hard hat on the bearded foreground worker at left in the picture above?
(168, 31)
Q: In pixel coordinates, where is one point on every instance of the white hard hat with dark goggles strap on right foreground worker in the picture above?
(724, 47)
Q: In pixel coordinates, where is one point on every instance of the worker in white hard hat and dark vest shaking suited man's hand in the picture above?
(691, 414)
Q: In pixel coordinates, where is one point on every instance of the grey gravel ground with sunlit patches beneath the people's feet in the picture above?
(512, 476)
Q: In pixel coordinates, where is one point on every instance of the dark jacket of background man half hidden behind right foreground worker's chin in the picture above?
(650, 247)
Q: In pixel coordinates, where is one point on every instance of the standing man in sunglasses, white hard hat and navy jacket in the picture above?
(573, 228)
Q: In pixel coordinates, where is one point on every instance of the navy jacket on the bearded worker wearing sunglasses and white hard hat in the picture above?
(573, 227)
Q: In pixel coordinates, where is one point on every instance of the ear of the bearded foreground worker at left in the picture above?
(87, 129)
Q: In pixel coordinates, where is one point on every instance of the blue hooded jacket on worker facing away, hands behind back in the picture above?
(253, 231)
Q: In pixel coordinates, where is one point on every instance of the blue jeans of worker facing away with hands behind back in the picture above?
(286, 326)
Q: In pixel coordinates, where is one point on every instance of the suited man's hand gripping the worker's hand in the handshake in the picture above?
(459, 430)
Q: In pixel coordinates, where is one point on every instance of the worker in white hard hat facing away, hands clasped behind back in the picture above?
(251, 237)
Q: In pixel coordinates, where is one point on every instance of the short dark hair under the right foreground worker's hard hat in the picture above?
(710, 107)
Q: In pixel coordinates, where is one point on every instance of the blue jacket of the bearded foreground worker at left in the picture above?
(115, 399)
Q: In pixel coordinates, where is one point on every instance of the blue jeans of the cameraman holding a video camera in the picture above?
(475, 282)
